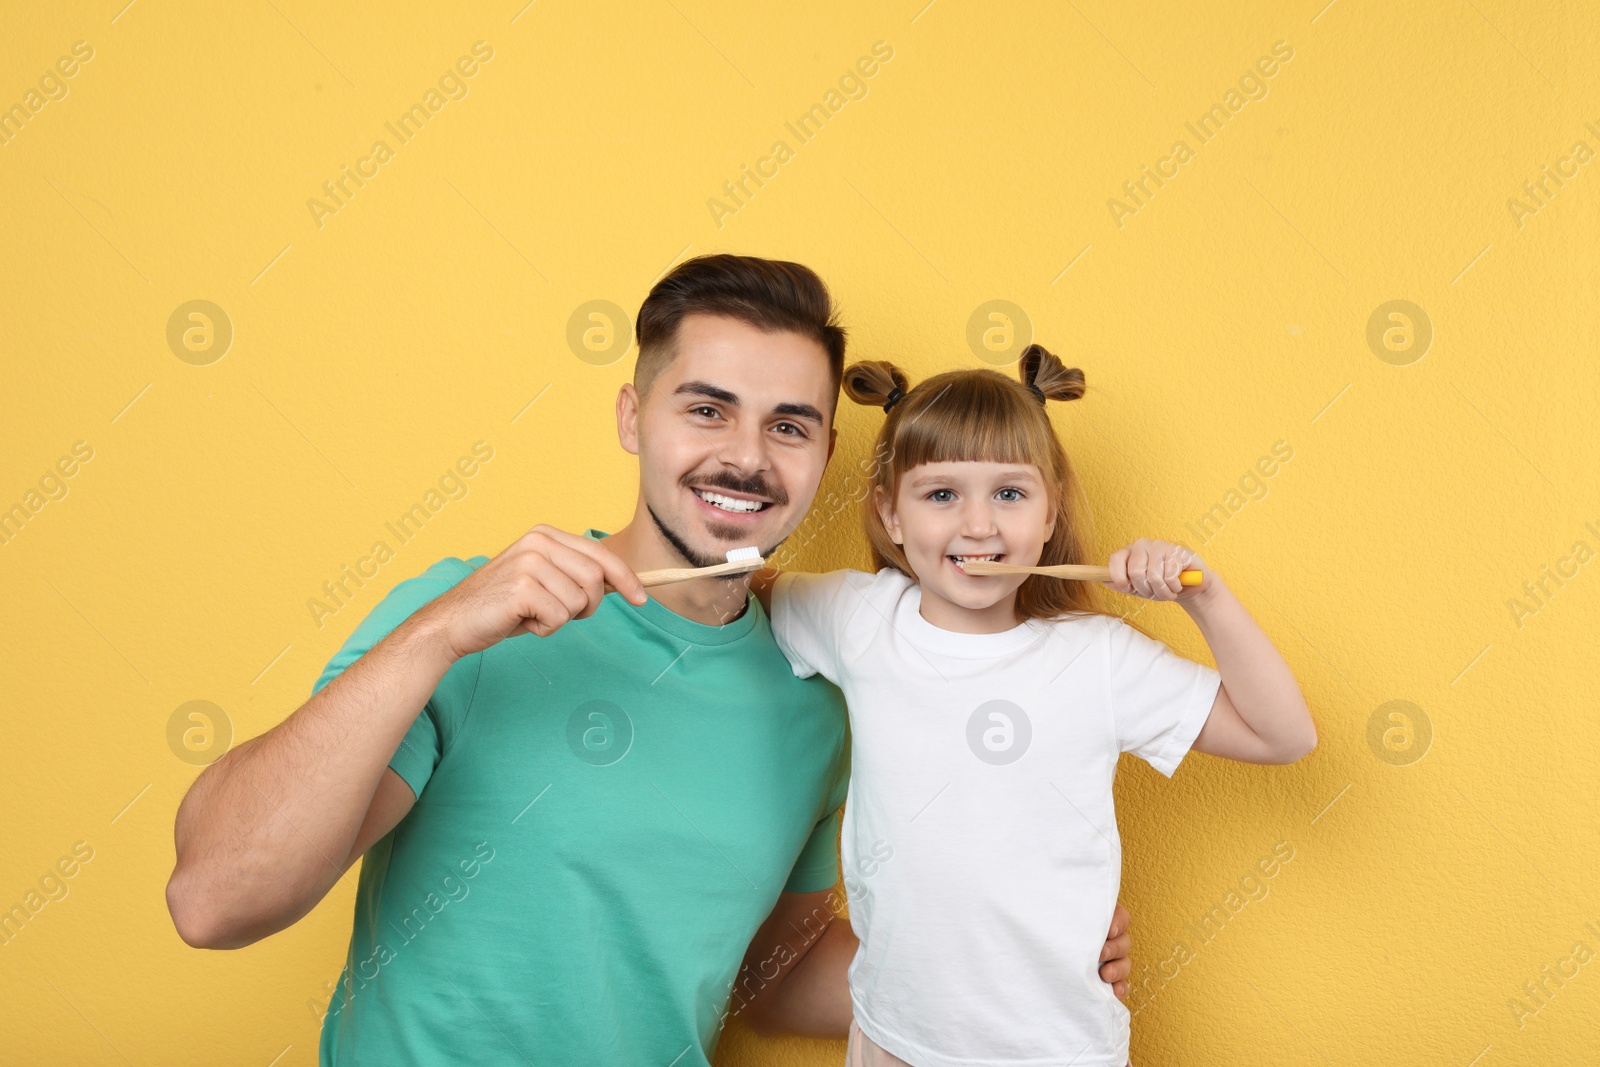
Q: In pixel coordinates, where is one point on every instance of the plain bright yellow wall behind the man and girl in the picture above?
(1228, 314)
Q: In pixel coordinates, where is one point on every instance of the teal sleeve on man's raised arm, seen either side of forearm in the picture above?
(441, 721)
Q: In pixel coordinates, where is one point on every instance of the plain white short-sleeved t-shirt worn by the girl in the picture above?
(980, 844)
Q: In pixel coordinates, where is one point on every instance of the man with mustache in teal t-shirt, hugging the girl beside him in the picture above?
(578, 810)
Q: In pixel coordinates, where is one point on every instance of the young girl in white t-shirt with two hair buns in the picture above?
(980, 842)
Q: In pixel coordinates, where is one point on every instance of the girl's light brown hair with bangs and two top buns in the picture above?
(982, 415)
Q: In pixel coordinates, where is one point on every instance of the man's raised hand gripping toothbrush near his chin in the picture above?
(540, 583)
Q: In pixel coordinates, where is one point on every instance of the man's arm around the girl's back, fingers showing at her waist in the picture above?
(794, 973)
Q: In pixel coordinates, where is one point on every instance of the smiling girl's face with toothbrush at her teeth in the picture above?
(948, 513)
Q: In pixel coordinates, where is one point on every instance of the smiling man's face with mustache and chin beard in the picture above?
(732, 439)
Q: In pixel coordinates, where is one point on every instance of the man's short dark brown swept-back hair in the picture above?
(770, 295)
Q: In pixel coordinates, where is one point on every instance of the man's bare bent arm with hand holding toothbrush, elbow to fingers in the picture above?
(268, 829)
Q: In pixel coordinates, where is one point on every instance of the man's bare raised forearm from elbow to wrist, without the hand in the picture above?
(266, 831)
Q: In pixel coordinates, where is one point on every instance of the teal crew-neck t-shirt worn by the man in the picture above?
(602, 821)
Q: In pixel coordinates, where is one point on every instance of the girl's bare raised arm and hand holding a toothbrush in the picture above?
(1260, 714)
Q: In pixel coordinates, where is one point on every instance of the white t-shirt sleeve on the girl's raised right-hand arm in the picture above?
(1159, 698)
